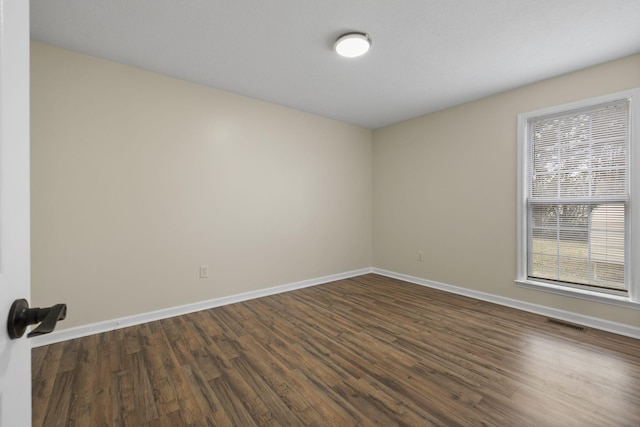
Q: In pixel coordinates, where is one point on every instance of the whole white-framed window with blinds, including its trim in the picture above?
(578, 198)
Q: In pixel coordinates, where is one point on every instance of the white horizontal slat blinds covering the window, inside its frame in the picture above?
(578, 193)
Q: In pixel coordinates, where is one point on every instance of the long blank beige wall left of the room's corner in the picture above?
(138, 179)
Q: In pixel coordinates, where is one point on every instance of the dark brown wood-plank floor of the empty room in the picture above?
(363, 351)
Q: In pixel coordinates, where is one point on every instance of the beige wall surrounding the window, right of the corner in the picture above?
(445, 184)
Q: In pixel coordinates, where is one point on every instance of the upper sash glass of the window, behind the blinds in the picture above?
(580, 155)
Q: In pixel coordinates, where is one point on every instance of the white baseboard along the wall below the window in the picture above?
(592, 322)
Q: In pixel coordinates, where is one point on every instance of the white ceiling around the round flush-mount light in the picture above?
(426, 54)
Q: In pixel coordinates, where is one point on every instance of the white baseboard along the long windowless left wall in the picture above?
(123, 322)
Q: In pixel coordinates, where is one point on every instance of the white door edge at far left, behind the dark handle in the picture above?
(15, 355)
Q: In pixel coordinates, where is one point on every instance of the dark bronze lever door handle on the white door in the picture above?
(21, 316)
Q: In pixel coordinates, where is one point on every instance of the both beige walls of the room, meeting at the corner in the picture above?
(138, 179)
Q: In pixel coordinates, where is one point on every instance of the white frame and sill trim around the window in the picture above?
(632, 297)
